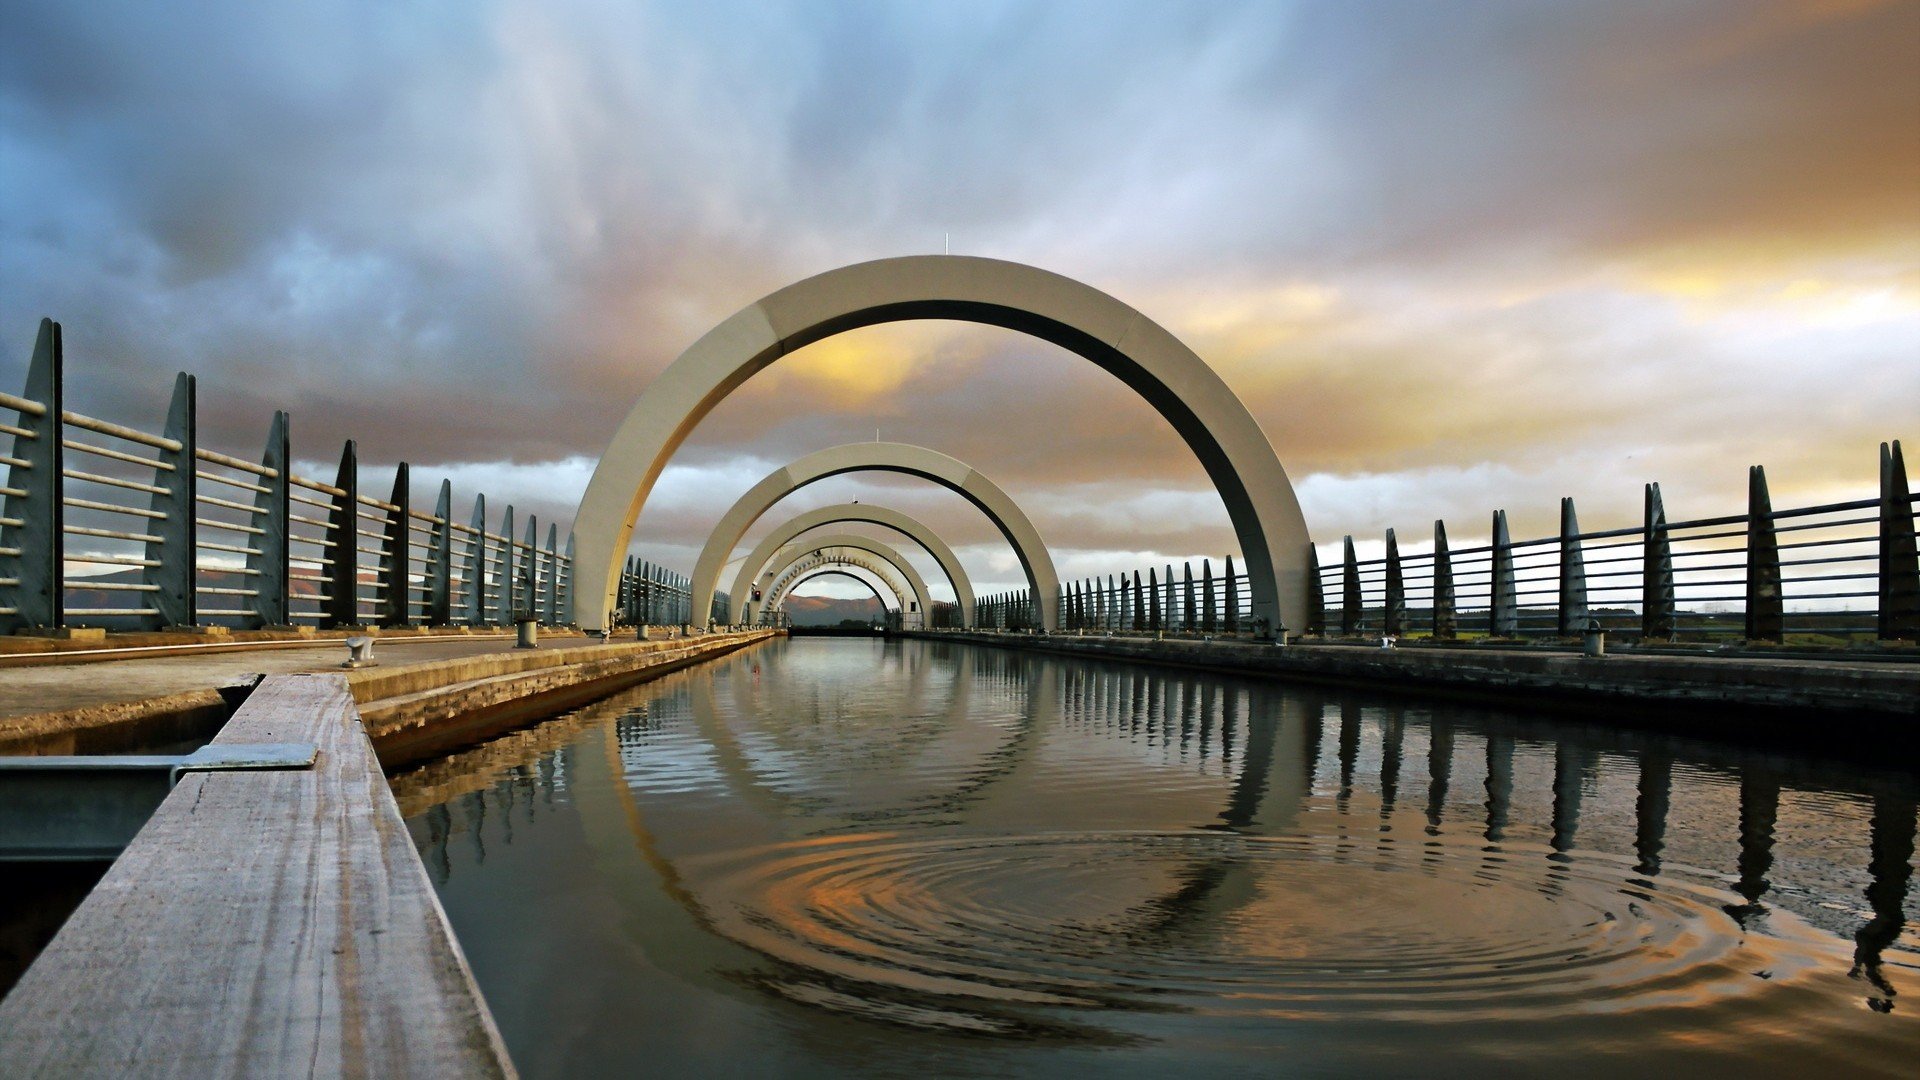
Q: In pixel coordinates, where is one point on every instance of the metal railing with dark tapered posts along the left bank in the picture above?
(107, 526)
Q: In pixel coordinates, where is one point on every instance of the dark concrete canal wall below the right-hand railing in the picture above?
(1700, 693)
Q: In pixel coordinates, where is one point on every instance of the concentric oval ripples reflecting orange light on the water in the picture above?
(1222, 923)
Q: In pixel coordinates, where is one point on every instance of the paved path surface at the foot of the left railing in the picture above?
(51, 687)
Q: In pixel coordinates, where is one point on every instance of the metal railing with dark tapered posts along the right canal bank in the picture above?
(1823, 576)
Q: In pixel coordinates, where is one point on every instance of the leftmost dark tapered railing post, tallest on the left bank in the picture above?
(32, 522)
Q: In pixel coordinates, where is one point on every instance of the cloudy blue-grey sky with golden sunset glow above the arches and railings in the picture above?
(1452, 257)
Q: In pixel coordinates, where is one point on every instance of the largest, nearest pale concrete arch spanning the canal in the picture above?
(1140, 353)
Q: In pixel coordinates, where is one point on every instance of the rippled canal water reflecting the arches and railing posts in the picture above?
(859, 858)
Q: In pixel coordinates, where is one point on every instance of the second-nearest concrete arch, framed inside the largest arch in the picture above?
(884, 458)
